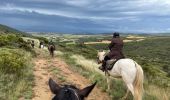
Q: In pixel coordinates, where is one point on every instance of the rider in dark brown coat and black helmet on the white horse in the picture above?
(115, 48)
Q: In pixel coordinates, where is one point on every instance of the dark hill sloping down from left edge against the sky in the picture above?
(6, 30)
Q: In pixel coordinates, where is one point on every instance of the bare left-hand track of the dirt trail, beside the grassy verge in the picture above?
(41, 90)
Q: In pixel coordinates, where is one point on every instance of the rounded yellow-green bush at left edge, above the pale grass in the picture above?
(12, 61)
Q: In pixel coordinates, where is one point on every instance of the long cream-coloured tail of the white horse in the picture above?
(138, 82)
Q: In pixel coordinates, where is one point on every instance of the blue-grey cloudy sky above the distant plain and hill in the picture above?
(86, 16)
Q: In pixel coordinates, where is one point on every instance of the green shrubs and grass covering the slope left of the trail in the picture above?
(16, 73)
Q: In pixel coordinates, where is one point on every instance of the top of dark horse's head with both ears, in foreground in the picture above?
(69, 92)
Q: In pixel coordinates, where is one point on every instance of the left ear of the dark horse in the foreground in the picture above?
(54, 87)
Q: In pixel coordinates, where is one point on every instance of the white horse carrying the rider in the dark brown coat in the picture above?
(130, 72)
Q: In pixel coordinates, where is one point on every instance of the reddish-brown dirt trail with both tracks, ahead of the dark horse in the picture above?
(42, 74)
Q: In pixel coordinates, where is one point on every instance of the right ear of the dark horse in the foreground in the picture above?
(86, 91)
